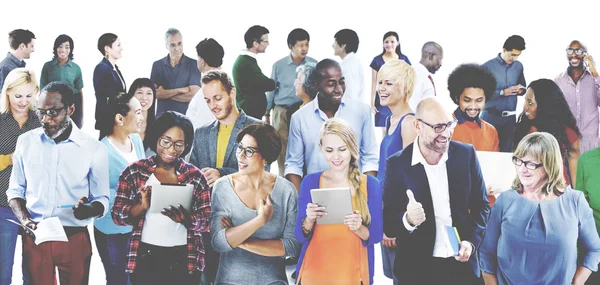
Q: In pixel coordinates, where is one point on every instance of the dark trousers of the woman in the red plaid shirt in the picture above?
(163, 265)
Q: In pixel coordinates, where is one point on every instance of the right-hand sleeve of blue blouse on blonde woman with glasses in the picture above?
(588, 241)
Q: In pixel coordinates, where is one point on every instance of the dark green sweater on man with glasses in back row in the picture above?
(251, 85)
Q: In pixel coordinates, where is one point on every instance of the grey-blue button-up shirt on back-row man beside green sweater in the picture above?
(284, 75)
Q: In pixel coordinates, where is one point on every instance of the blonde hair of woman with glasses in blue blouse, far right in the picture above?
(543, 147)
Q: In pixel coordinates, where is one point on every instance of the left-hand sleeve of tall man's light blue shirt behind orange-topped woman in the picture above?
(295, 151)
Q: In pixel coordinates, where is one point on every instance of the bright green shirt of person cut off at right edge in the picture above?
(588, 180)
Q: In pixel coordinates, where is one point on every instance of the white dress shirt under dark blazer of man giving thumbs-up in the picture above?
(437, 176)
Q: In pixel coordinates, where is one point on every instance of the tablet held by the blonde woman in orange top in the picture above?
(337, 202)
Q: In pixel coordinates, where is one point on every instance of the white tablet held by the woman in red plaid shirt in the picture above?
(167, 195)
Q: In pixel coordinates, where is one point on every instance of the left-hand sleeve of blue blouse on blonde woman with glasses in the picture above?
(488, 255)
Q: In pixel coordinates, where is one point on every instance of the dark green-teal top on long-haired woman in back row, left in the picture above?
(70, 73)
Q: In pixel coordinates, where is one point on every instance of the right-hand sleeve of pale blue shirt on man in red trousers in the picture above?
(98, 177)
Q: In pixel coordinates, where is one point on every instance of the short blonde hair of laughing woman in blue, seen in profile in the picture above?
(402, 74)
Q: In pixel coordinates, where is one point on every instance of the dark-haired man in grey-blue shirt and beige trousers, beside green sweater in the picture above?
(283, 100)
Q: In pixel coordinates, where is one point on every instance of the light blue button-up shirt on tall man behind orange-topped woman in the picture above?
(303, 141)
